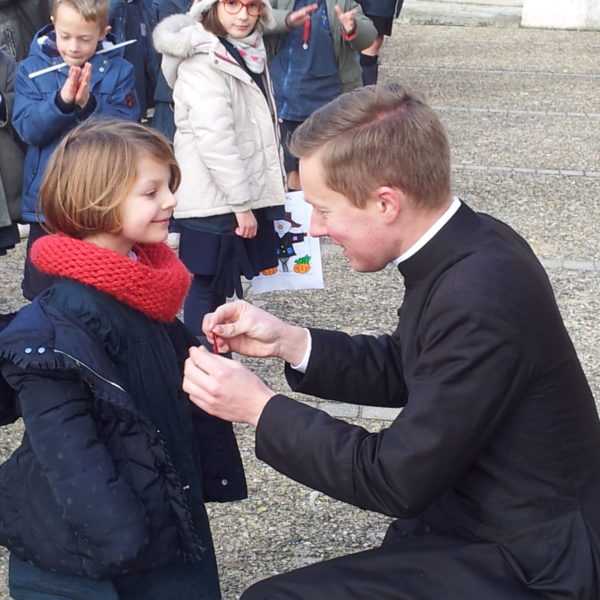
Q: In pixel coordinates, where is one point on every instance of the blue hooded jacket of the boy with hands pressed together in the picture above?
(39, 121)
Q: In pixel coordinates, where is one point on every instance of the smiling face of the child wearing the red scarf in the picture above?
(146, 209)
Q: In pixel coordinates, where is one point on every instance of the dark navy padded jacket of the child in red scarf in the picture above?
(94, 489)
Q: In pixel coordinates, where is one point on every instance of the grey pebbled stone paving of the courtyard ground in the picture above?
(522, 109)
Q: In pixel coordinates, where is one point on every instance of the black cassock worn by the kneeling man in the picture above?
(493, 465)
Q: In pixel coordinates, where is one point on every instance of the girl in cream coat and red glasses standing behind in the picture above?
(227, 145)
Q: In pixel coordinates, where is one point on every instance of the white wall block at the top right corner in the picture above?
(561, 14)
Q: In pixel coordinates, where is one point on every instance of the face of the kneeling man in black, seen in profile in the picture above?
(361, 232)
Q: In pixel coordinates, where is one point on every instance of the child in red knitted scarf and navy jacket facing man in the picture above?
(105, 496)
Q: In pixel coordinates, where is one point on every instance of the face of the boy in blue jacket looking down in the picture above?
(76, 38)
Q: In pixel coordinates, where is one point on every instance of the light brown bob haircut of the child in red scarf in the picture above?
(91, 172)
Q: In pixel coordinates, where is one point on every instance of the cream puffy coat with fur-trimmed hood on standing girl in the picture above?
(227, 140)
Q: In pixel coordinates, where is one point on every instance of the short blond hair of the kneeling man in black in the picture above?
(374, 136)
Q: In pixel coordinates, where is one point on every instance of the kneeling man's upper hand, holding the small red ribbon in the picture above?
(243, 328)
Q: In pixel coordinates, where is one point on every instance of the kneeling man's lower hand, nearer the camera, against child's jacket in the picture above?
(224, 388)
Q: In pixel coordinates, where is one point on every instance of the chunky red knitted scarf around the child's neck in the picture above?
(155, 284)
